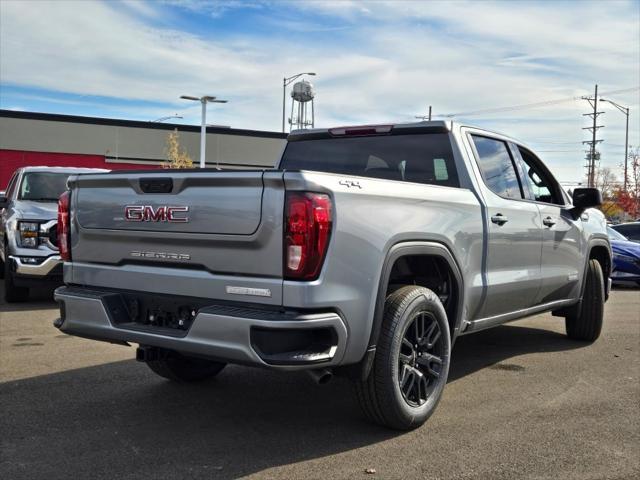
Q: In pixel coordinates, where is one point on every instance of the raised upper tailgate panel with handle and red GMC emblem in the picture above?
(225, 203)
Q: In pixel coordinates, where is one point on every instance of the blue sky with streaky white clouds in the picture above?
(383, 61)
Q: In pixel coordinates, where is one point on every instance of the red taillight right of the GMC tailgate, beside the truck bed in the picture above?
(307, 230)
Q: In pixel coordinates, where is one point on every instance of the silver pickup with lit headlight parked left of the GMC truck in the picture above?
(28, 236)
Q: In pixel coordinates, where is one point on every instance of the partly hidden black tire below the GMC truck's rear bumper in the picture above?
(181, 368)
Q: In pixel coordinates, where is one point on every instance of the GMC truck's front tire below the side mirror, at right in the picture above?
(586, 324)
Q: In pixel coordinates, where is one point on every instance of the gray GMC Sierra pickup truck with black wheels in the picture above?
(365, 253)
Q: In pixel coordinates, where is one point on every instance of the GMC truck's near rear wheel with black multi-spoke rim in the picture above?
(405, 383)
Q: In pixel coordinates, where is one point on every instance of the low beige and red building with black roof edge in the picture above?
(28, 138)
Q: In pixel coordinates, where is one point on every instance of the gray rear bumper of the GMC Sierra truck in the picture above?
(243, 335)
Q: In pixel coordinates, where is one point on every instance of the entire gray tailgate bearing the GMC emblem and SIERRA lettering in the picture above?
(130, 226)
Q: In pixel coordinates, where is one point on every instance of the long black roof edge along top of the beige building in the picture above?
(115, 122)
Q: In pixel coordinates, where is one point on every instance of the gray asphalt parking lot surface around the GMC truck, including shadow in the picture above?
(522, 401)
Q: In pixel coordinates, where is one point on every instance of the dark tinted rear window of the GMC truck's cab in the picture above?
(418, 158)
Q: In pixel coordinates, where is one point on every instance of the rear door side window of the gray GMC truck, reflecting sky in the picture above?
(497, 167)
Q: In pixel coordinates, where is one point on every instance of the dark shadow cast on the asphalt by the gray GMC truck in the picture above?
(120, 420)
